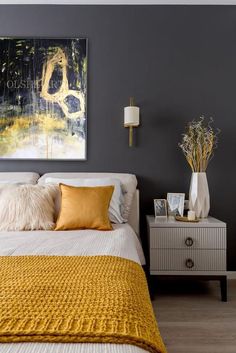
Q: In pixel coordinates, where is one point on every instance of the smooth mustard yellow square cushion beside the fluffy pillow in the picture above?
(84, 207)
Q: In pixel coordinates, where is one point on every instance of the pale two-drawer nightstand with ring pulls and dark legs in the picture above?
(188, 249)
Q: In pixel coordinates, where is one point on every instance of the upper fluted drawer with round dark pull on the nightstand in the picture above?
(184, 238)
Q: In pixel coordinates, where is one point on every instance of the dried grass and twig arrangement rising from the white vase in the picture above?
(198, 143)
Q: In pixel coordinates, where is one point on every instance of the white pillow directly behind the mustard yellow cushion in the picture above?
(116, 200)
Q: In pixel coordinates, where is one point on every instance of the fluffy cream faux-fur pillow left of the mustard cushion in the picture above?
(27, 207)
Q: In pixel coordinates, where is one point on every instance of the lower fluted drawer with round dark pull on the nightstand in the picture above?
(187, 260)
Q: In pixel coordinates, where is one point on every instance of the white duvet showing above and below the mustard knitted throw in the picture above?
(122, 242)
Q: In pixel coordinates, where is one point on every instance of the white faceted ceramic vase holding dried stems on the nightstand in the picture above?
(199, 198)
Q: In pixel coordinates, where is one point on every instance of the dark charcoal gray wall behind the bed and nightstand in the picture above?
(178, 61)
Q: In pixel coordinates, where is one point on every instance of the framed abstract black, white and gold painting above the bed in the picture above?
(43, 98)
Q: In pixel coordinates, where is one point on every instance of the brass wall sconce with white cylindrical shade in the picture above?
(131, 119)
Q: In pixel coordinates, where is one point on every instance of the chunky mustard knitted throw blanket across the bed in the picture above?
(93, 299)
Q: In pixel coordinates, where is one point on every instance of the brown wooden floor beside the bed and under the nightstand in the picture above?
(192, 319)
